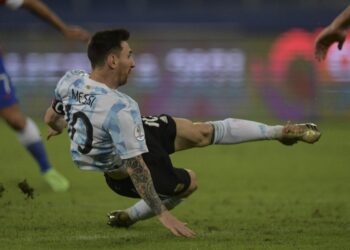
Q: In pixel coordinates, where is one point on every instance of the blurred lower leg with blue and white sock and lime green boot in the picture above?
(29, 136)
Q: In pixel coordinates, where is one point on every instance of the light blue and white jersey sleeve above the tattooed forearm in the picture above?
(125, 127)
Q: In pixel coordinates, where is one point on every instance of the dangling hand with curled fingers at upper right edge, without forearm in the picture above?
(326, 38)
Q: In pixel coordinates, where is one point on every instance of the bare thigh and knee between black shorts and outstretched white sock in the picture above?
(192, 134)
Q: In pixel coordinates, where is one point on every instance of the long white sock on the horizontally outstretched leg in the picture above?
(232, 131)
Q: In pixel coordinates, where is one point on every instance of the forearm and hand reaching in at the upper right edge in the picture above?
(335, 32)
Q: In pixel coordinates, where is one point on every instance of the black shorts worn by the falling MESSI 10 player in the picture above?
(160, 133)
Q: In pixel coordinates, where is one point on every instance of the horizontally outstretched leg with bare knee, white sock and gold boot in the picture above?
(232, 131)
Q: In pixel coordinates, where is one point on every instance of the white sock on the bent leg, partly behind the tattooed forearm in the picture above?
(141, 211)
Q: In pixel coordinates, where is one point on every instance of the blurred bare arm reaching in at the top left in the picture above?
(43, 11)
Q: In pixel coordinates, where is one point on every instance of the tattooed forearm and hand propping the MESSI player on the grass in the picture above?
(142, 180)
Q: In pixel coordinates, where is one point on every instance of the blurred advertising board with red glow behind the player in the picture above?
(210, 72)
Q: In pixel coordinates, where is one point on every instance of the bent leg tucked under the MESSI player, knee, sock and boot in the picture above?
(141, 211)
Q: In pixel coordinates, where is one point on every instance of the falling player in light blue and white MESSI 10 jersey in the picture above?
(108, 134)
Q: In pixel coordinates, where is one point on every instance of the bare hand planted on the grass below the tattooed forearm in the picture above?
(177, 227)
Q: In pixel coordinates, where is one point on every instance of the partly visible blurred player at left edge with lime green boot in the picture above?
(27, 131)
